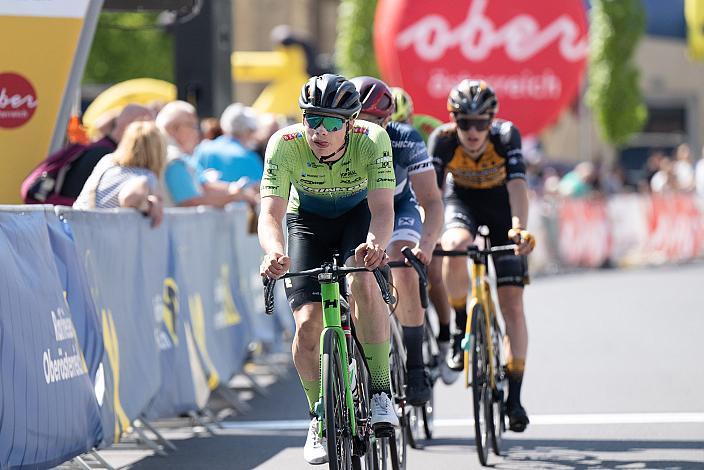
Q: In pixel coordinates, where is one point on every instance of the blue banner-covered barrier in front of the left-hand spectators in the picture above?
(126, 320)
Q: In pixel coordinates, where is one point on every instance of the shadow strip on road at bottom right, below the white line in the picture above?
(582, 454)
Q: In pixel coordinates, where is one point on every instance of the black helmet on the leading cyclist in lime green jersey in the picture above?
(330, 94)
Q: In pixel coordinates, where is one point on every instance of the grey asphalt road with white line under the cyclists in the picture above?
(614, 379)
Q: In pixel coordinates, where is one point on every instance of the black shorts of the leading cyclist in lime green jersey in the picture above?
(313, 239)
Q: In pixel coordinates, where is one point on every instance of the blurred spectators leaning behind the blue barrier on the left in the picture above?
(152, 157)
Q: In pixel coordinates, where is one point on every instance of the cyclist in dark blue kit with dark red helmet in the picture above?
(416, 187)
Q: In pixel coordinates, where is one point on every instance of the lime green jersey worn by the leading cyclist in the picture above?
(327, 189)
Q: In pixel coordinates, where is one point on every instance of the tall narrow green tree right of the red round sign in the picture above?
(614, 92)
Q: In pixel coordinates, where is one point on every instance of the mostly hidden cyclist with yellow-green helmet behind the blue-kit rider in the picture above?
(425, 125)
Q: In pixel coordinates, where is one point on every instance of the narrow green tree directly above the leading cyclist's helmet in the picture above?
(355, 43)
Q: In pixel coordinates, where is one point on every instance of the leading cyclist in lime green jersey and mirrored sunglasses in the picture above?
(332, 177)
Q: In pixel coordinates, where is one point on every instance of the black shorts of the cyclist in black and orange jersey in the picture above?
(468, 209)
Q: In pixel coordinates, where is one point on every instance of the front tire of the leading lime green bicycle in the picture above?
(339, 440)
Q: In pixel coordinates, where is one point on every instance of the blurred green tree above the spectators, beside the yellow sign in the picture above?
(129, 45)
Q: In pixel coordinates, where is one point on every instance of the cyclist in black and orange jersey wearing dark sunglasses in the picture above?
(479, 159)
